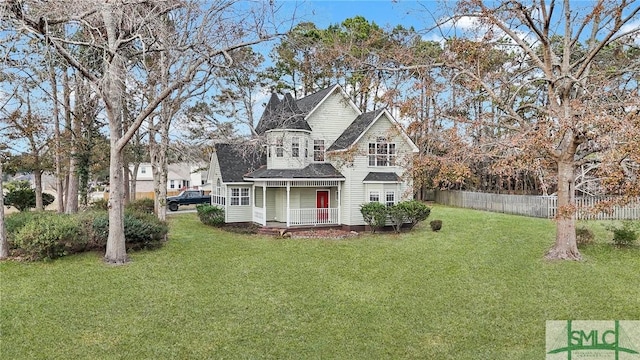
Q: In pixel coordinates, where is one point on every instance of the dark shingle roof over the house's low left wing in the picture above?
(236, 160)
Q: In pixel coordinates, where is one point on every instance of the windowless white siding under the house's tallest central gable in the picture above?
(331, 119)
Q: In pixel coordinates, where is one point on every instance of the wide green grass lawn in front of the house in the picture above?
(478, 289)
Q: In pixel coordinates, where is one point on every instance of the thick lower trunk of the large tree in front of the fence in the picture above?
(565, 247)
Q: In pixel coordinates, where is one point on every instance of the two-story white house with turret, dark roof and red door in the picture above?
(323, 158)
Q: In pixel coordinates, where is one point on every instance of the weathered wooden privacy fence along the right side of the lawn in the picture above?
(535, 206)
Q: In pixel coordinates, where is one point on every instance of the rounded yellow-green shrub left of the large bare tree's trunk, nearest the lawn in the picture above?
(49, 236)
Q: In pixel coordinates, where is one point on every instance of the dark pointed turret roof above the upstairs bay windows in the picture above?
(282, 114)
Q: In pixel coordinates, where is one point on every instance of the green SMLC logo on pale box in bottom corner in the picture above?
(593, 339)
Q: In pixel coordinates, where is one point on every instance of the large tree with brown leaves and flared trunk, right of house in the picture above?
(558, 101)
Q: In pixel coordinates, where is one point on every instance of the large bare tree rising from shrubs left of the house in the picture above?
(122, 31)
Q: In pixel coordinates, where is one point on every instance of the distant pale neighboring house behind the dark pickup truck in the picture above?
(180, 176)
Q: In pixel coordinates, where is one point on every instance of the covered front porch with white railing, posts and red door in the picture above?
(294, 203)
